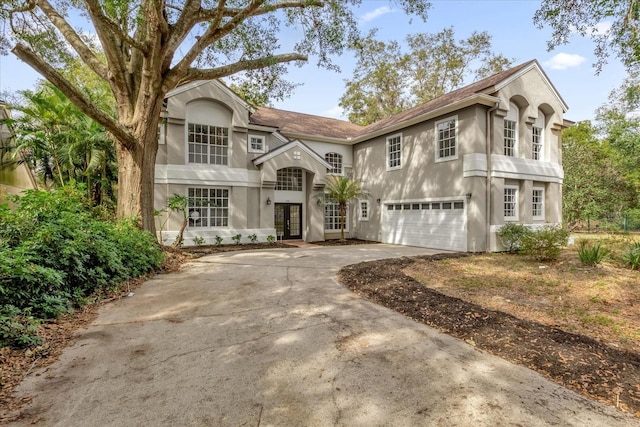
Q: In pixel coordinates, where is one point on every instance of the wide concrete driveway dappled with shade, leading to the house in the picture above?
(269, 338)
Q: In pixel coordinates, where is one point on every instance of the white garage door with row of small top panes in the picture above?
(438, 225)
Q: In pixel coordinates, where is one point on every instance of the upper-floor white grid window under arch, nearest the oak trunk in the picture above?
(208, 144)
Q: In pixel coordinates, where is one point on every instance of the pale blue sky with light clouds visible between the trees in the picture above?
(510, 22)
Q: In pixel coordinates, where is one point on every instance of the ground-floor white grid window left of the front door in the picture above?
(208, 207)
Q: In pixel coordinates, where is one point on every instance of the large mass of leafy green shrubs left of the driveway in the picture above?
(55, 252)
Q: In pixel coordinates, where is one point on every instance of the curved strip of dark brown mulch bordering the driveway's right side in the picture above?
(575, 361)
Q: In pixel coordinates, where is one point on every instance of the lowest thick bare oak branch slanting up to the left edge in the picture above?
(82, 102)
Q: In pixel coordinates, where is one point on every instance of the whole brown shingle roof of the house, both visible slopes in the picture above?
(306, 124)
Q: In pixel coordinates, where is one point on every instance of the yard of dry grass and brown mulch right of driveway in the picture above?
(579, 325)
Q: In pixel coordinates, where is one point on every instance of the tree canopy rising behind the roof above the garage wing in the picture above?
(387, 80)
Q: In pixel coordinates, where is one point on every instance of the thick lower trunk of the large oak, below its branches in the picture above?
(136, 170)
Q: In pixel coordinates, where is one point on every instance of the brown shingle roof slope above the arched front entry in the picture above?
(289, 122)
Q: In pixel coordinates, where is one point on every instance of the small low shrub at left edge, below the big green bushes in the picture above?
(18, 328)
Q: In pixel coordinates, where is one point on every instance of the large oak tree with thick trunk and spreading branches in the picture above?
(145, 48)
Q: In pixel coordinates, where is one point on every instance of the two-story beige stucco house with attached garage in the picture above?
(446, 174)
